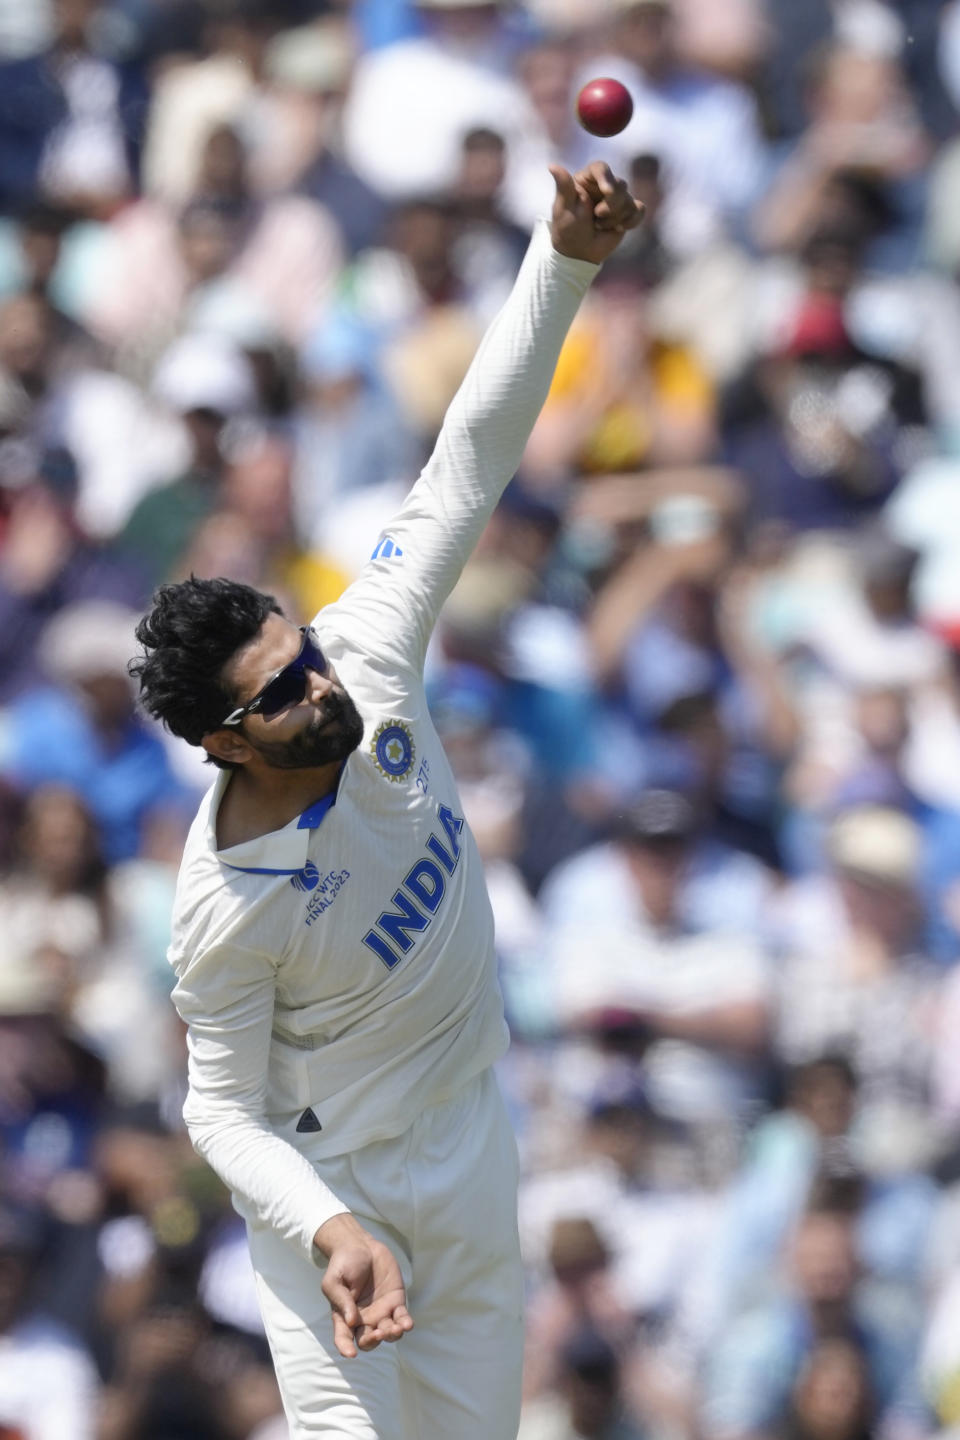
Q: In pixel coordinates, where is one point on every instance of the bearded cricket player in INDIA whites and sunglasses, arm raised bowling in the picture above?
(333, 941)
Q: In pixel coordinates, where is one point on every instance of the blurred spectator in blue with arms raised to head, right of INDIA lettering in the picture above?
(692, 699)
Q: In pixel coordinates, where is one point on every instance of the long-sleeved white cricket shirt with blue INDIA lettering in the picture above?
(346, 963)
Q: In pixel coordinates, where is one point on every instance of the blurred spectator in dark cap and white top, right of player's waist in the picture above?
(697, 993)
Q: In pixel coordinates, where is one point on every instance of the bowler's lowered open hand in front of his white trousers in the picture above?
(363, 1285)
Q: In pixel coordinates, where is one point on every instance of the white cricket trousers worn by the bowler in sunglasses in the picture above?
(444, 1197)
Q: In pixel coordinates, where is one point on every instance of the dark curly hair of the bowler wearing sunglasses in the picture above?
(189, 636)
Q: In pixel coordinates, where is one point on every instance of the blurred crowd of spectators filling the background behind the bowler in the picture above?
(700, 683)
